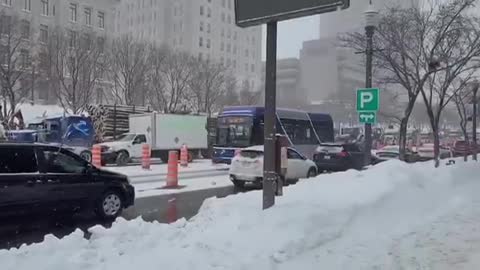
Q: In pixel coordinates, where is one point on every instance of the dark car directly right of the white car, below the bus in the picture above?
(338, 157)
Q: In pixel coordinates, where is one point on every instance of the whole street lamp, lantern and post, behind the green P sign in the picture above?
(371, 21)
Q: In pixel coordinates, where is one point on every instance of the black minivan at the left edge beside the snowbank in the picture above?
(40, 179)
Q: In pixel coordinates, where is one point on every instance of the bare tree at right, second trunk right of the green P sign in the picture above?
(453, 68)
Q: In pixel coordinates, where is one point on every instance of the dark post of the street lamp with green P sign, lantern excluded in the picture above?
(368, 84)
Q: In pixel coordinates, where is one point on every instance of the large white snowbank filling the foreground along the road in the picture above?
(393, 216)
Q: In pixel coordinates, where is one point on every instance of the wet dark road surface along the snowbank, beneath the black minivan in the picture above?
(166, 208)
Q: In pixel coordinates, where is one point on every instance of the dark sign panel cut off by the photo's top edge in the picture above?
(255, 12)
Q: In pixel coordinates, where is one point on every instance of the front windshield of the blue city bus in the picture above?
(234, 131)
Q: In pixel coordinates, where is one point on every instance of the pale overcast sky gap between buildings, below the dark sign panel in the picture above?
(291, 35)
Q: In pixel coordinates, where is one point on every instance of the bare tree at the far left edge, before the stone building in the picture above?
(16, 46)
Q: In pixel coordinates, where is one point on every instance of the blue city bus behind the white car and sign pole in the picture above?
(240, 127)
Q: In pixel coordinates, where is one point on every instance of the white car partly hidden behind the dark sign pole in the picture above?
(247, 166)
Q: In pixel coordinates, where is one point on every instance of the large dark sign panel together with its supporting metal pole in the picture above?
(254, 12)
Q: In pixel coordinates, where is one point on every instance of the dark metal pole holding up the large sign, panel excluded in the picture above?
(269, 167)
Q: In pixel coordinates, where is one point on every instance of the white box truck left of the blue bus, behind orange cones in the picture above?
(163, 132)
